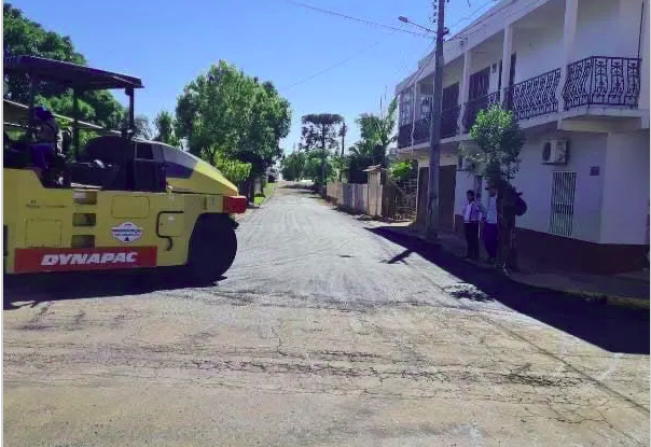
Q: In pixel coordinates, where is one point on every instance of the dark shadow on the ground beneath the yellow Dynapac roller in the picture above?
(30, 290)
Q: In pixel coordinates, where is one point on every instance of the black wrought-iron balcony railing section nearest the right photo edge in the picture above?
(602, 80)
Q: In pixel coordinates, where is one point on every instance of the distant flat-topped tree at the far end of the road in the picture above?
(319, 136)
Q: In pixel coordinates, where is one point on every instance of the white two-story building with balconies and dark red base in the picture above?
(575, 74)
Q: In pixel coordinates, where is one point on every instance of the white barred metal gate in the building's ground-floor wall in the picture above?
(562, 206)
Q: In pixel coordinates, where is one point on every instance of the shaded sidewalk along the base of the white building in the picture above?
(628, 290)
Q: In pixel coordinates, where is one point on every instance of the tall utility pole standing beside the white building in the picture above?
(432, 222)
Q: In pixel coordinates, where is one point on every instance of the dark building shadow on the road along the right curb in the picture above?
(611, 328)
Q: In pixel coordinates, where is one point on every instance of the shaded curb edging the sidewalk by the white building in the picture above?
(591, 297)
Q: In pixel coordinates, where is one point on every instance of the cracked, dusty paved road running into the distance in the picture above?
(328, 331)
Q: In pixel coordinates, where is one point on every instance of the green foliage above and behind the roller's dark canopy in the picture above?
(25, 37)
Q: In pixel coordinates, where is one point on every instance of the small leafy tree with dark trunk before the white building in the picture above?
(500, 140)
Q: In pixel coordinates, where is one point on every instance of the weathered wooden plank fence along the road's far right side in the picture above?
(359, 198)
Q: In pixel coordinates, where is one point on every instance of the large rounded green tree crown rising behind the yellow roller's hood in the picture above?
(231, 113)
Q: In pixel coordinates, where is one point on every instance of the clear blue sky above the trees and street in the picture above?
(320, 62)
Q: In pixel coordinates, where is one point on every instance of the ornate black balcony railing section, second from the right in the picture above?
(533, 97)
